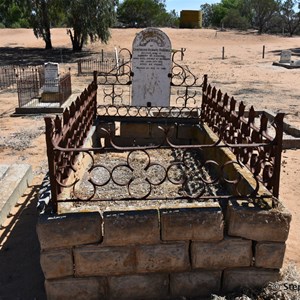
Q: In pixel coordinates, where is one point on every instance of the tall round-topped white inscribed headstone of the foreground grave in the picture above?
(151, 66)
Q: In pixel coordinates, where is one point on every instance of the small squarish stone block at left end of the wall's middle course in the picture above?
(57, 263)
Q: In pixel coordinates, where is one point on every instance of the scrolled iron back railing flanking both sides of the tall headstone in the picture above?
(115, 85)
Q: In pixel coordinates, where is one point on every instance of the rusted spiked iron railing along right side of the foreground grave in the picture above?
(263, 153)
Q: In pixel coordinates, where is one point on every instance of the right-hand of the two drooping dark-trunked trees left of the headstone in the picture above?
(88, 19)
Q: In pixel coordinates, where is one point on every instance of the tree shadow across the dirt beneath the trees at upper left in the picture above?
(37, 56)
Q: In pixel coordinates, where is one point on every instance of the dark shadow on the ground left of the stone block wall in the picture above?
(21, 276)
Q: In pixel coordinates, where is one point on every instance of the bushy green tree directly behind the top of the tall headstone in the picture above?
(141, 13)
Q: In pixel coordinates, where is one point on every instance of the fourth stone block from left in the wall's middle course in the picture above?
(229, 253)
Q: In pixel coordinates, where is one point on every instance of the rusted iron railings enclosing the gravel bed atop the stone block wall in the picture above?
(167, 129)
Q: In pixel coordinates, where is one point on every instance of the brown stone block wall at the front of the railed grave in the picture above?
(189, 250)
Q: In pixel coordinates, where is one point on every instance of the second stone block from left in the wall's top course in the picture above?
(131, 227)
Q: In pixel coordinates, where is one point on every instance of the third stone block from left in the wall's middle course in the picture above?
(171, 257)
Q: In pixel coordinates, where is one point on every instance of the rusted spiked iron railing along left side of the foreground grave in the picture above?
(68, 131)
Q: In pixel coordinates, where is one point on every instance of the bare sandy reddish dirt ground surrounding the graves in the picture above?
(243, 74)
